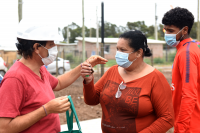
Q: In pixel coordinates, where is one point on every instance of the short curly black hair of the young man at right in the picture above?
(179, 17)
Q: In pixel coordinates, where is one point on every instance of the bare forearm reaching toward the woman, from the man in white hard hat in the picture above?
(68, 78)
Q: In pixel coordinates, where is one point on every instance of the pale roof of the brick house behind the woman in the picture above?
(115, 40)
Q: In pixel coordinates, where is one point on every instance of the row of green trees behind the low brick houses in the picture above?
(112, 30)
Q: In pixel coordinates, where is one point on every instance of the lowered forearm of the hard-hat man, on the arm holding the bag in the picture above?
(21, 123)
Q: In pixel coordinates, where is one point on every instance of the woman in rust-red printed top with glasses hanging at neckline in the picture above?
(134, 96)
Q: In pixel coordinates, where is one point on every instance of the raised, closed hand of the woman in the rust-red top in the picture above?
(86, 72)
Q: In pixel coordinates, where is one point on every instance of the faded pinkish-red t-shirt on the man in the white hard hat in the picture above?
(22, 91)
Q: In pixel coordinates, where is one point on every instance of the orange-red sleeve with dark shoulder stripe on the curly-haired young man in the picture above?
(189, 74)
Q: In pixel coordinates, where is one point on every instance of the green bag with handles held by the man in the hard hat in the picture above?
(70, 119)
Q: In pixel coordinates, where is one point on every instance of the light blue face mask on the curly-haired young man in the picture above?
(171, 39)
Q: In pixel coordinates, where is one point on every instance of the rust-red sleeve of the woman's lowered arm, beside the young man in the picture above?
(161, 99)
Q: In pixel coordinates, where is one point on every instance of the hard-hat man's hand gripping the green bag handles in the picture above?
(58, 105)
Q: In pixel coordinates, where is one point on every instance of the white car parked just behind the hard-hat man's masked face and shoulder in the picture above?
(52, 67)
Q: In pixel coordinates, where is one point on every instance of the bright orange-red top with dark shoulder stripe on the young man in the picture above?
(186, 87)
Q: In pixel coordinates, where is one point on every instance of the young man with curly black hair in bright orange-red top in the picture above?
(186, 70)
